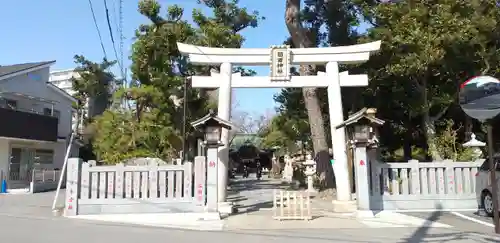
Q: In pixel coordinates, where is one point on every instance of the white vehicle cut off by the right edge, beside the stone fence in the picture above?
(483, 186)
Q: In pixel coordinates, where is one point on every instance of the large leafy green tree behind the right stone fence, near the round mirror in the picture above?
(428, 49)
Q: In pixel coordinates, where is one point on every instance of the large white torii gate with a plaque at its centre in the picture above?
(280, 59)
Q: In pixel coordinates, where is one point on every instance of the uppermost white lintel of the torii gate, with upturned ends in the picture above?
(261, 56)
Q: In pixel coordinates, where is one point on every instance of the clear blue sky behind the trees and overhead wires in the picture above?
(59, 29)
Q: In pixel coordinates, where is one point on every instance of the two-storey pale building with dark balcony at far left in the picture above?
(36, 120)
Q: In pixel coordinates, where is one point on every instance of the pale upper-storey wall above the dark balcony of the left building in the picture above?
(35, 84)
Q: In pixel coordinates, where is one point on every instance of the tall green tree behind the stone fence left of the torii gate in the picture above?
(159, 73)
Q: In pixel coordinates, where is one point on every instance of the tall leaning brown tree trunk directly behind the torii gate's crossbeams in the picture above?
(316, 122)
